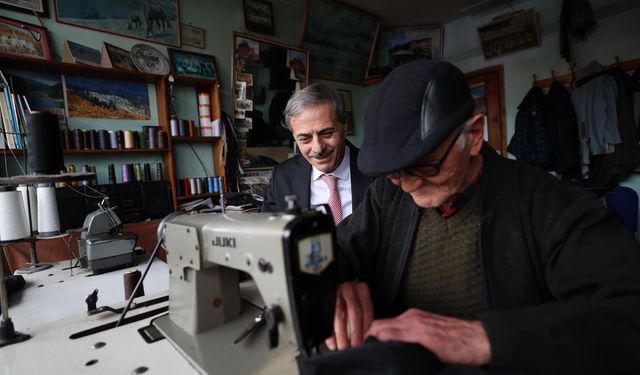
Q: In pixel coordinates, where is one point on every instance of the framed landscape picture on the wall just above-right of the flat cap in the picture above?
(396, 46)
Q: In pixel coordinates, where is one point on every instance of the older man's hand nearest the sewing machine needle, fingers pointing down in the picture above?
(353, 315)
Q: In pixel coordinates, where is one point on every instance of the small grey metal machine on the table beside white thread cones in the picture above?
(102, 245)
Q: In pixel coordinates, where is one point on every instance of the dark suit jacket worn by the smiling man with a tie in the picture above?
(293, 176)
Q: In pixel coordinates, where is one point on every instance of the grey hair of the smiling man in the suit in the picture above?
(312, 95)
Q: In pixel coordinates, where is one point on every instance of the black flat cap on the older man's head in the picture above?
(411, 113)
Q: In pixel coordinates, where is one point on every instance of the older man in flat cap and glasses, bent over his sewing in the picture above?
(484, 261)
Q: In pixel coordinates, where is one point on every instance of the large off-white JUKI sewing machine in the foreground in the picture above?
(217, 328)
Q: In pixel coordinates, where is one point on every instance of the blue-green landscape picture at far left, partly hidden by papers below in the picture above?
(42, 90)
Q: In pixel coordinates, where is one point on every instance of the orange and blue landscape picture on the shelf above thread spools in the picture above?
(103, 98)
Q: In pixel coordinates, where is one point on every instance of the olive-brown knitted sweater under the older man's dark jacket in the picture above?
(444, 275)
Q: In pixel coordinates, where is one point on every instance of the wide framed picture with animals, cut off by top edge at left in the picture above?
(156, 21)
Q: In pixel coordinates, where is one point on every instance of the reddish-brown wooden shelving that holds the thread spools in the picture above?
(210, 87)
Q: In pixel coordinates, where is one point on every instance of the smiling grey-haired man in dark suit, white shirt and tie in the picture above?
(316, 117)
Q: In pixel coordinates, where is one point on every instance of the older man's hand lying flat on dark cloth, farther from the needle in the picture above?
(453, 341)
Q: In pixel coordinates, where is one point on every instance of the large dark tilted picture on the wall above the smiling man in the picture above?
(340, 40)
